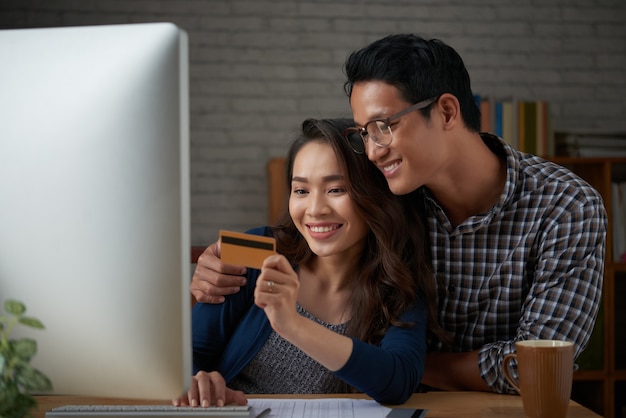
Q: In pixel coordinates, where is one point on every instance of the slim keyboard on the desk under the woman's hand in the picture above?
(149, 411)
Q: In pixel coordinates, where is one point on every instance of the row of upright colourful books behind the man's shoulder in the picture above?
(525, 124)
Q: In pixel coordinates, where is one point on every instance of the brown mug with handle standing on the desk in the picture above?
(545, 371)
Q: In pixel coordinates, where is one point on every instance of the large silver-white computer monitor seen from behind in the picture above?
(94, 212)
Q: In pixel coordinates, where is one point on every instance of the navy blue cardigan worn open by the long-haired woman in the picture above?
(227, 336)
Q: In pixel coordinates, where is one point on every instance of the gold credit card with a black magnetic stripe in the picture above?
(246, 249)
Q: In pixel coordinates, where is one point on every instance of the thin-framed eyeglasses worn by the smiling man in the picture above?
(379, 130)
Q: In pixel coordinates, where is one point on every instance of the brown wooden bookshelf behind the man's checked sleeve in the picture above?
(600, 383)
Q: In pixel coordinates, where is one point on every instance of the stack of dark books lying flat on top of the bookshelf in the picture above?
(591, 144)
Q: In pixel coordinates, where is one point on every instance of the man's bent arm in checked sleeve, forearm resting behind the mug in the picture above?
(562, 304)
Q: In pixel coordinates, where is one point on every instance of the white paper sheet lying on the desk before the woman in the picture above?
(322, 408)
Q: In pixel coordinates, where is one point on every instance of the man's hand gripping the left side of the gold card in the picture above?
(212, 280)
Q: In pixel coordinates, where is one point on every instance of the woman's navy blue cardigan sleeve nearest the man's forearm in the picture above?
(391, 371)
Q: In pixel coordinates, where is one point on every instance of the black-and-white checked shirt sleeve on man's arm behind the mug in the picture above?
(565, 291)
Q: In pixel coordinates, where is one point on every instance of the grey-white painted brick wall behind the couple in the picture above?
(258, 68)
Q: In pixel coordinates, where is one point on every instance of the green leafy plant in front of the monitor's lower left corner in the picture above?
(17, 377)
